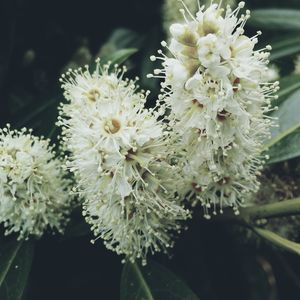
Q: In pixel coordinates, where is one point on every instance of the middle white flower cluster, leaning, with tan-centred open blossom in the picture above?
(120, 156)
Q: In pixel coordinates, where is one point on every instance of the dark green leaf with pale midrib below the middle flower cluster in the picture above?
(152, 282)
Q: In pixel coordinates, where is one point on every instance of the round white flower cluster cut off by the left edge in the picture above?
(33, 190)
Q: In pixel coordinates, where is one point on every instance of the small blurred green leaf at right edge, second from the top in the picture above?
(286, 46)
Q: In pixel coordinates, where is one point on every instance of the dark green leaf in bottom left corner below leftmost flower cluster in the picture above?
(15, 264)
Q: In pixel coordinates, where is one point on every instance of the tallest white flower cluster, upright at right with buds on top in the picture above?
(214, 86)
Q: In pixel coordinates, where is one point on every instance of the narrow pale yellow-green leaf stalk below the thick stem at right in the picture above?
(278, 240)
